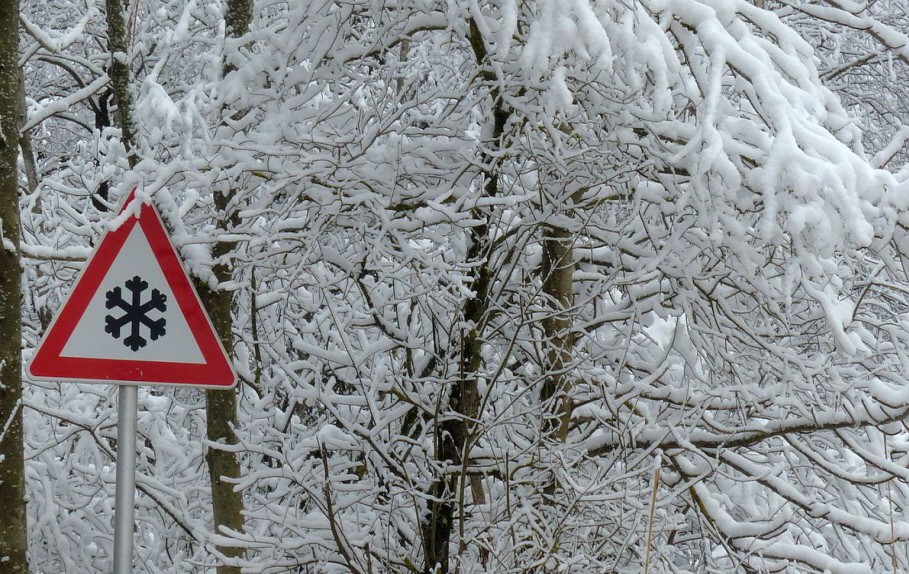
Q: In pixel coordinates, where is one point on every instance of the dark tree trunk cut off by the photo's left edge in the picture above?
(13, 531)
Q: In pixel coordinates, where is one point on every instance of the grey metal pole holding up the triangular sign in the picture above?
(125, 501)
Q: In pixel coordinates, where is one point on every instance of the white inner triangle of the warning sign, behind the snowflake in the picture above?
(133, 314)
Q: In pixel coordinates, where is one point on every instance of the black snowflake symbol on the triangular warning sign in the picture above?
(135, 313)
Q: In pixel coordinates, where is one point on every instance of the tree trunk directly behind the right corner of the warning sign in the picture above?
(221, 411)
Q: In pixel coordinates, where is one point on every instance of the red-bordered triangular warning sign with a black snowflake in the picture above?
(133, 317)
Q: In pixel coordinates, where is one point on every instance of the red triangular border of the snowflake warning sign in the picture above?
(48, 364)
